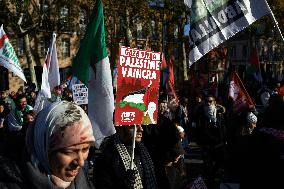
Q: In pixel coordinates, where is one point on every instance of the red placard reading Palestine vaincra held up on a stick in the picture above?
(137, 87)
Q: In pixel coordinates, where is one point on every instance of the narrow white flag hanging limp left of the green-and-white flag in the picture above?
(50, 76)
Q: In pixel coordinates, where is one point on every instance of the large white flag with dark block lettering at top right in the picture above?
(213, 22)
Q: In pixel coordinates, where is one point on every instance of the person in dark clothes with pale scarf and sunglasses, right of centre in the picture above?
(210, 132)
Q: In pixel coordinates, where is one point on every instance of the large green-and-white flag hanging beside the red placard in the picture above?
(91, 65)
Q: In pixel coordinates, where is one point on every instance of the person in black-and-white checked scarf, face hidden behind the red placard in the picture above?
(112, 167)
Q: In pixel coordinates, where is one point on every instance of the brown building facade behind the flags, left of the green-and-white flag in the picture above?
(68, 19)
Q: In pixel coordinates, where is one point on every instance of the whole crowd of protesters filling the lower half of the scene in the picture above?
(55, 147)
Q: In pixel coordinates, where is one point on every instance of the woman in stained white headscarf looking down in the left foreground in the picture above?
(57, 146)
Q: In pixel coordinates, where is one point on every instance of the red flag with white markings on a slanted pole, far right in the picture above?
(239, 95)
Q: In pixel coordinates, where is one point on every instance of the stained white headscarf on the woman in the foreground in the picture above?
(59, 125)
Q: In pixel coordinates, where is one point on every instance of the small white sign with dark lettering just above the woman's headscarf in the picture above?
(80, 94)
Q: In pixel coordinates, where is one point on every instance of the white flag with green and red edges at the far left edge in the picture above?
(8, 57)
